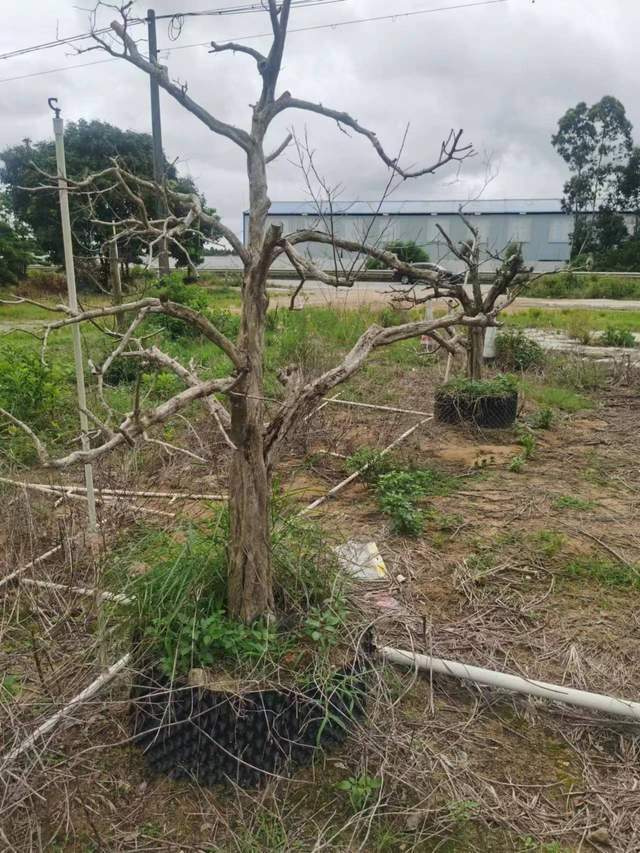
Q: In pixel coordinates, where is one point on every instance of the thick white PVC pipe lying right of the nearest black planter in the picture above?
(516, 683)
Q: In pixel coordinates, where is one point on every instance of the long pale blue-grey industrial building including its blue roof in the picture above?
(537, 224)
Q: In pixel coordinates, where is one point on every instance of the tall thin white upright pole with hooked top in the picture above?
(58, 130)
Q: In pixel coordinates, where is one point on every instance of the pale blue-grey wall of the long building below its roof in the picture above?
(544, 236)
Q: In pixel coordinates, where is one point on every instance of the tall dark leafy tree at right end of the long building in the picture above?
(603, 192)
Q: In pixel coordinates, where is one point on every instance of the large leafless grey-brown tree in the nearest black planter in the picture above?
(256, 444)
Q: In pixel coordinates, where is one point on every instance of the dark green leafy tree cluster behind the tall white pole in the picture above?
(30, 221)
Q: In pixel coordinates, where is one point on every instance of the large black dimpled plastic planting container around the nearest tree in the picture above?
(219, 737)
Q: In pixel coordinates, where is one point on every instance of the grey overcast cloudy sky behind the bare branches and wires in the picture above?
(503, 72)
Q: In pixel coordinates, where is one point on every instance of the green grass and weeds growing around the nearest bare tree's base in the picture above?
(177, 582)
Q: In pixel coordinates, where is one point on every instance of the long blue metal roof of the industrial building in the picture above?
(423, 208)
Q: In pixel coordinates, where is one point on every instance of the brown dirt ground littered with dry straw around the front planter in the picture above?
(489, 582)
